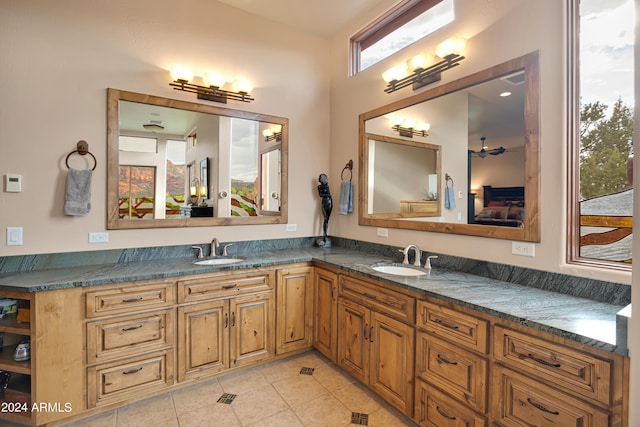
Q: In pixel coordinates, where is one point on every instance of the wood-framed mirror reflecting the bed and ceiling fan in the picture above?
(483, 129)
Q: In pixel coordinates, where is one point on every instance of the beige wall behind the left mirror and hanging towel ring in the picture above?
(59, 58)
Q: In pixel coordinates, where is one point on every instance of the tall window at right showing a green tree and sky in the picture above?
(601, 113)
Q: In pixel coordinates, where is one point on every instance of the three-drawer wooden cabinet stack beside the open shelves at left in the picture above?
(130, 343)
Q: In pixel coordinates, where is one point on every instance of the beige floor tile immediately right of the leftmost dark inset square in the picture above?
(258, 404)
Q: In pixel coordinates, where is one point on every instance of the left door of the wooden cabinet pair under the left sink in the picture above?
(203, 339)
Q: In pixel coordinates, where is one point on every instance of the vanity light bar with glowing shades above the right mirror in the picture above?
(450, 51)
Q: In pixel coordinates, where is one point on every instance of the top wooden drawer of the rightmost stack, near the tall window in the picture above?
(561, 365)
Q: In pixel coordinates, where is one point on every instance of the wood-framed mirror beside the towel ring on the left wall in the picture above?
(175, 163)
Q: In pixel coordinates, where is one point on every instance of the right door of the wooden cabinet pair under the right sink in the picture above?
(392, 367)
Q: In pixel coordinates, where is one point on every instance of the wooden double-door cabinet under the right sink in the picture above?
(376, 349)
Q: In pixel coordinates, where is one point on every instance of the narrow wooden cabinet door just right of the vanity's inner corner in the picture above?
(325, 306)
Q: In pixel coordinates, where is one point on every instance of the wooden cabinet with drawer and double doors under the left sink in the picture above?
(231, 326)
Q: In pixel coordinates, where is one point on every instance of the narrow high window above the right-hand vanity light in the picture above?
(401, 26)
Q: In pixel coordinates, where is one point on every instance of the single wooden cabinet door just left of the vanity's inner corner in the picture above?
(295, 307)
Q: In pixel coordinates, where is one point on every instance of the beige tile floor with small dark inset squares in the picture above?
(275, 394)
